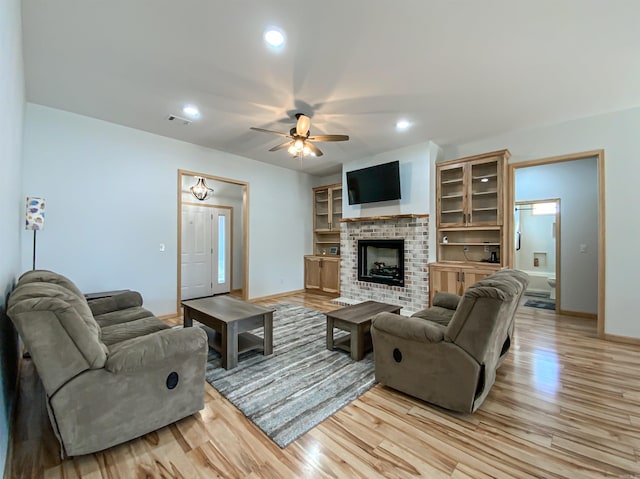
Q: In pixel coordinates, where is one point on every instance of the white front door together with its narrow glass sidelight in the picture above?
(206, 250)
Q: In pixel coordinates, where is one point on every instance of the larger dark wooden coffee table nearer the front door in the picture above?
(231, 318)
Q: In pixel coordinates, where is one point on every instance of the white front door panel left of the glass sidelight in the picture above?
(196, 252)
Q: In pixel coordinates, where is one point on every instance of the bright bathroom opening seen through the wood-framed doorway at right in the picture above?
(537, 250)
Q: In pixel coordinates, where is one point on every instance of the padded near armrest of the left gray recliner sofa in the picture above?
(145, 351)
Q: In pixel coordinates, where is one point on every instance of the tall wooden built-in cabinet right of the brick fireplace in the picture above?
(470, 221)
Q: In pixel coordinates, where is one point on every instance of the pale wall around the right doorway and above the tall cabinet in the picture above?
(617, 134)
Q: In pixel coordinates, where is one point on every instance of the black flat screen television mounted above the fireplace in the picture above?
(375, 183)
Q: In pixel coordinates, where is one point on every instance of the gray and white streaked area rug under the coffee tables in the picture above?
(300, 385)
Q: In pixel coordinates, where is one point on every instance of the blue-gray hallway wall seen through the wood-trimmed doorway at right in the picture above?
(576, 184)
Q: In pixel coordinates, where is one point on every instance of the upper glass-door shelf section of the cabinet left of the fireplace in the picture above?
(327, 213)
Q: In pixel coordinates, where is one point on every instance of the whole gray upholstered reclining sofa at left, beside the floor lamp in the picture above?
(111, 370)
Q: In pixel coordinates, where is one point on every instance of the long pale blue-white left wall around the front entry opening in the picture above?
(111, 200)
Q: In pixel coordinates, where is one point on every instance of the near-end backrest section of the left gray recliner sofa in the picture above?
(58, 330)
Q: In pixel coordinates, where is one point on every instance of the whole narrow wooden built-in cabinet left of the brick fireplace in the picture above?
(322, 268)
